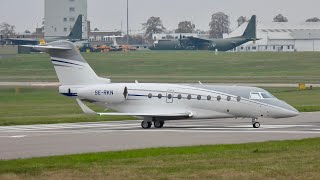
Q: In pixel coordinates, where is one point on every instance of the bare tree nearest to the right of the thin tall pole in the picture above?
(152, 26)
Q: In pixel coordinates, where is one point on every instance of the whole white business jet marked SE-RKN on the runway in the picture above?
(157, 103)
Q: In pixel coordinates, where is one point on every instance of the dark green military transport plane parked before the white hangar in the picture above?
(194, 43)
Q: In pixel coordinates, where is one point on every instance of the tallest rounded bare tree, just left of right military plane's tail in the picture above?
(219, 24)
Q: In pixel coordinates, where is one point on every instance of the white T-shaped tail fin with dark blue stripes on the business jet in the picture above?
(70, 66)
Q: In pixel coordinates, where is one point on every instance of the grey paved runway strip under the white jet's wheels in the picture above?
(60, 139)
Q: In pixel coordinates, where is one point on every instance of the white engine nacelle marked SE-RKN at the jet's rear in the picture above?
(111, 93)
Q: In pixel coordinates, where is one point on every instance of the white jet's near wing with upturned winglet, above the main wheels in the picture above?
(87, 110)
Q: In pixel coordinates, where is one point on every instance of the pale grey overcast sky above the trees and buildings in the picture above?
(108, 14)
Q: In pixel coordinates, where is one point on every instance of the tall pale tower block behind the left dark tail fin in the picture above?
(61, 15)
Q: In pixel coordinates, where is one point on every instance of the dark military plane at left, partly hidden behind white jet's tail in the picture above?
(75, 35)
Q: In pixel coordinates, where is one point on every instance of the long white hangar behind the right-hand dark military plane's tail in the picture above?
(284, 37)
